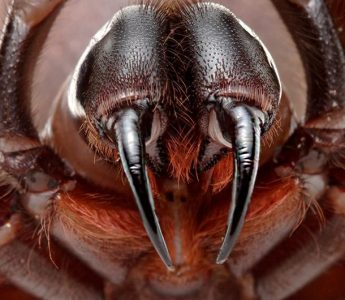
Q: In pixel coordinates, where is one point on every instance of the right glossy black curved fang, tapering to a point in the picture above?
(245, 138)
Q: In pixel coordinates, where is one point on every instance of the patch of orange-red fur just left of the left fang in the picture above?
(103, 219)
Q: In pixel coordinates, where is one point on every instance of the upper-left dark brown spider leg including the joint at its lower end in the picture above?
(26, 27)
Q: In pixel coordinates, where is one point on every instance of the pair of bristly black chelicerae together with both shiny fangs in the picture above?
(178, 93)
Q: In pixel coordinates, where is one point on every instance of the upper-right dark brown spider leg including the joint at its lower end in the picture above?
(323, 56)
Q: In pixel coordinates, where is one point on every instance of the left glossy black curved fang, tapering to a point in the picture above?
(131, 148)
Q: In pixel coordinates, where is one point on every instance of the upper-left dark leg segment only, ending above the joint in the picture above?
(27, 25)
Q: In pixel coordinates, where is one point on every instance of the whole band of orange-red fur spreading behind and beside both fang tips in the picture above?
(114, 223)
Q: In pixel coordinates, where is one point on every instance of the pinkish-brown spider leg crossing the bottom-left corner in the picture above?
(28, 268)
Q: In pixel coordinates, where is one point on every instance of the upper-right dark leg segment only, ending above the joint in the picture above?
(322, 53)
